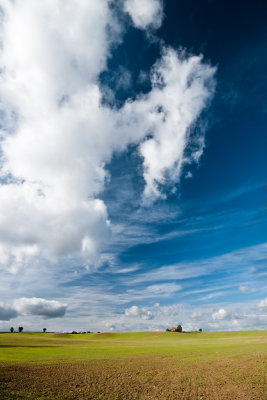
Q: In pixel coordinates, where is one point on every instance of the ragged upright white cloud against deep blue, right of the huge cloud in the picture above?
(181, 89)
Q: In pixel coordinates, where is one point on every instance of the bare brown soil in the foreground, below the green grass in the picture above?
(138, 378)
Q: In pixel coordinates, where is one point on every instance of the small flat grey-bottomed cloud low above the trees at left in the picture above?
(41, 307)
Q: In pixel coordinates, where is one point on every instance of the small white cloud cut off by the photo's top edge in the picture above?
(145, 13)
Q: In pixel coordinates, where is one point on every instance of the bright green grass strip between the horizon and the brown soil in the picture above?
(54, 348)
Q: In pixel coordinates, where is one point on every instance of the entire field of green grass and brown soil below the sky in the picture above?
(147, 365)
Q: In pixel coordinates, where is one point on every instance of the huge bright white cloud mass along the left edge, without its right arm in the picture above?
(52, 159)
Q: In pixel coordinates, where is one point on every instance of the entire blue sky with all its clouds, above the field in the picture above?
(133, 165)
